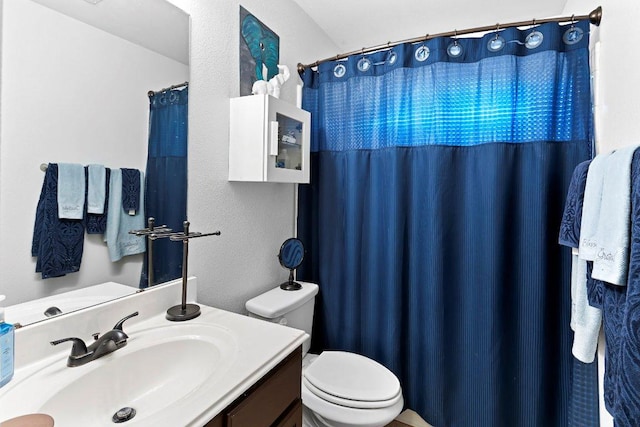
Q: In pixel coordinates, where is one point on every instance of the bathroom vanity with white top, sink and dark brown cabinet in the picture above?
(220, 369)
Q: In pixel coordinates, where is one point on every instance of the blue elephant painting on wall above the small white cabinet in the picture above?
(259, 51)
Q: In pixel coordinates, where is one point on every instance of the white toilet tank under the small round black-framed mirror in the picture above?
(289, 308)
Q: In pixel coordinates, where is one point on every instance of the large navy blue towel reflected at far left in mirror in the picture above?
(57, 243)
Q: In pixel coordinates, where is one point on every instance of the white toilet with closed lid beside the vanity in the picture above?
(339, 389)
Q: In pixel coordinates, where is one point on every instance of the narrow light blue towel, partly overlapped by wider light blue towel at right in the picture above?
(591, 208)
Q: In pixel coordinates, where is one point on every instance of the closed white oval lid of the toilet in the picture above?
(352, 380)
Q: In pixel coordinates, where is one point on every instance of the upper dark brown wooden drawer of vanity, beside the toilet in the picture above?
(270, 399)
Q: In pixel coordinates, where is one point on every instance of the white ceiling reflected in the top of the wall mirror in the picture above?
(158, 25)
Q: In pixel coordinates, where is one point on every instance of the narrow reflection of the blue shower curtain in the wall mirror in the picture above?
(166, 179)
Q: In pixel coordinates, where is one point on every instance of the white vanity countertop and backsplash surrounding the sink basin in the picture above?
(258, 346)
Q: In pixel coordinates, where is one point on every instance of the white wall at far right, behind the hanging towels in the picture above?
(617, 107)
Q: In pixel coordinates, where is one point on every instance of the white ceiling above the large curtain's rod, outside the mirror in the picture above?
(354, 24)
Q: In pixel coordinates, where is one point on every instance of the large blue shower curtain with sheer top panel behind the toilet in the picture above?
(439, 171)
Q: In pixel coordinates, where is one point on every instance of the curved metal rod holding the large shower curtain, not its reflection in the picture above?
(594, 18)
